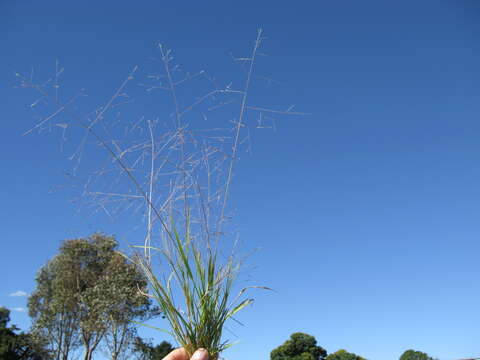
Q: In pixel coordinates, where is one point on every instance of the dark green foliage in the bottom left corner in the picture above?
(21, 346)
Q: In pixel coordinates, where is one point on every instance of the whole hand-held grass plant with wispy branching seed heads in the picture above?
(194, 284)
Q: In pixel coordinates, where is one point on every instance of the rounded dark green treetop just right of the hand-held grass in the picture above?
(300, 347)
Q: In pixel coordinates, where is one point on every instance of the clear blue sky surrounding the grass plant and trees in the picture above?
(366, 213)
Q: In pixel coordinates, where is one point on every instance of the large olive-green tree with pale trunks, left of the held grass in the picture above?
(86, 294)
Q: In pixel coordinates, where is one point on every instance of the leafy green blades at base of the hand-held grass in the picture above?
(205, 286)
